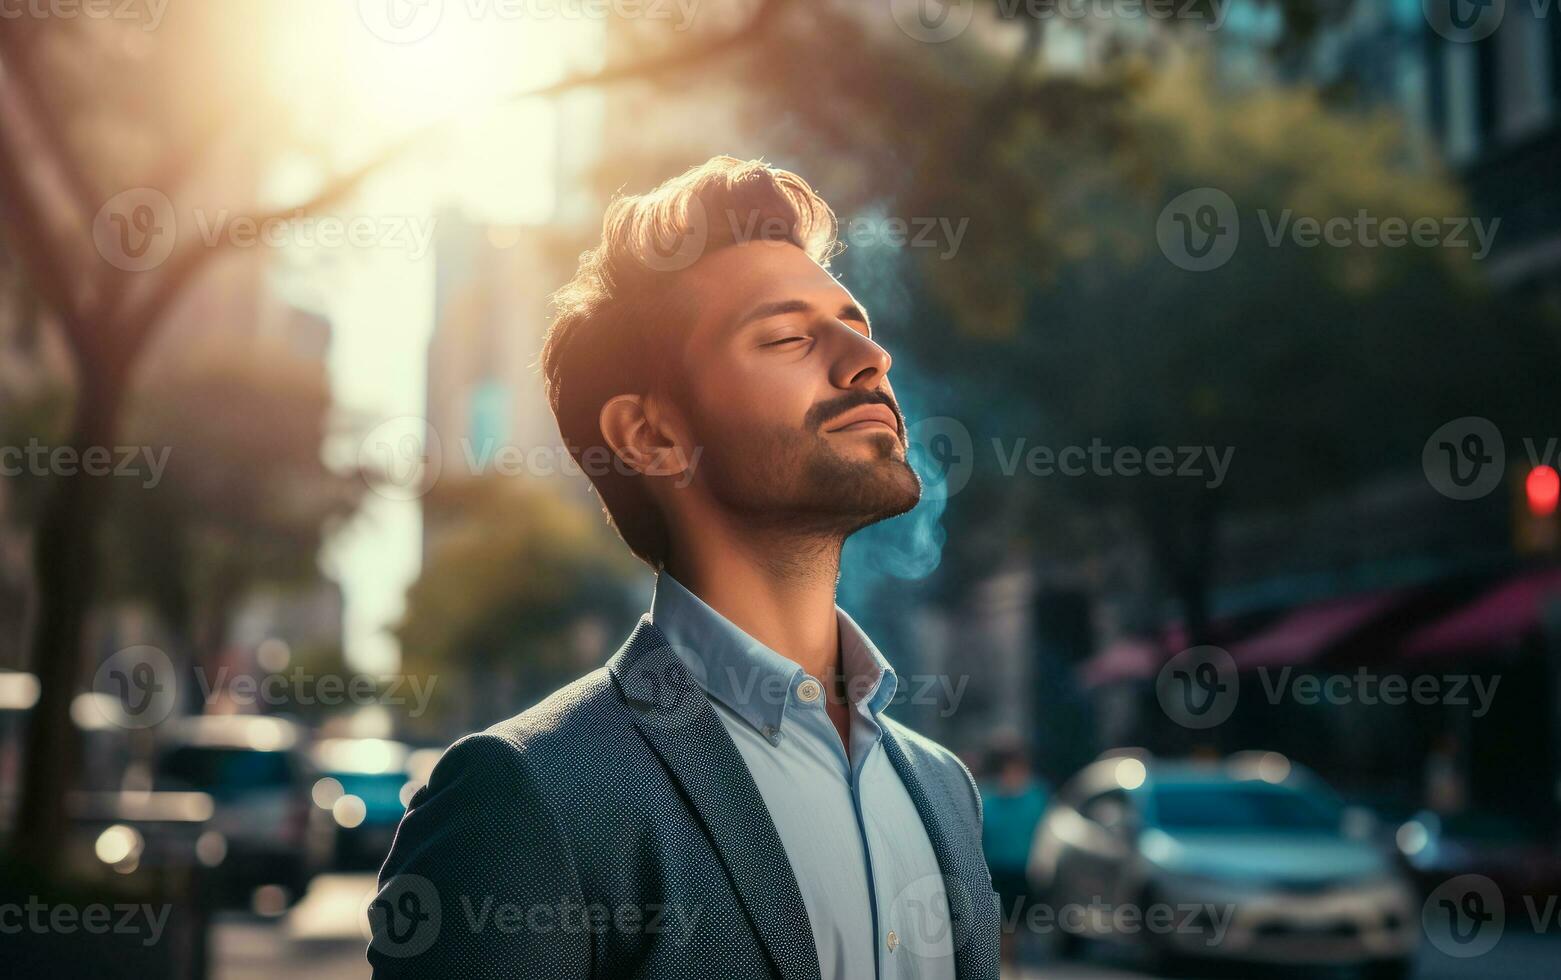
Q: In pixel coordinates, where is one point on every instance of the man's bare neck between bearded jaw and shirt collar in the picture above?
(780, 589)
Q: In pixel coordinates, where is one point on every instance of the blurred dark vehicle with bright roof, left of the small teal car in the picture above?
(258, 776)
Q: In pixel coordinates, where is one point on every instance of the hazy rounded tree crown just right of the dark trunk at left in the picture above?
(244, 499)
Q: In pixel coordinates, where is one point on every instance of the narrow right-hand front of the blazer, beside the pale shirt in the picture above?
(961, 876)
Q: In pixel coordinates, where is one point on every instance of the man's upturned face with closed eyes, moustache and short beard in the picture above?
(789, 396)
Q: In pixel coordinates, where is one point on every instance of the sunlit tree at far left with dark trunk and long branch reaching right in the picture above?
(91, 180)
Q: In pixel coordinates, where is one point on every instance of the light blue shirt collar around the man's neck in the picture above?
(747, 676)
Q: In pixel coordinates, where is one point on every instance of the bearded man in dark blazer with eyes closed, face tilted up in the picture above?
(727, 797)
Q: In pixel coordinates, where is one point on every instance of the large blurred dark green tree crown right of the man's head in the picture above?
(1320, 366)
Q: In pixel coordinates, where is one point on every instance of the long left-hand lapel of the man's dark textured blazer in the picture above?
(677, 719)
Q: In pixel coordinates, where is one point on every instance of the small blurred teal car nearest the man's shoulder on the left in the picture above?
(364, 786)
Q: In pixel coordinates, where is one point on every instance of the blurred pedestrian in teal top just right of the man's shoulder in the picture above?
(1014, 801)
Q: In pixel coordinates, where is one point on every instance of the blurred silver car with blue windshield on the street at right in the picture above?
(1248, 861)
